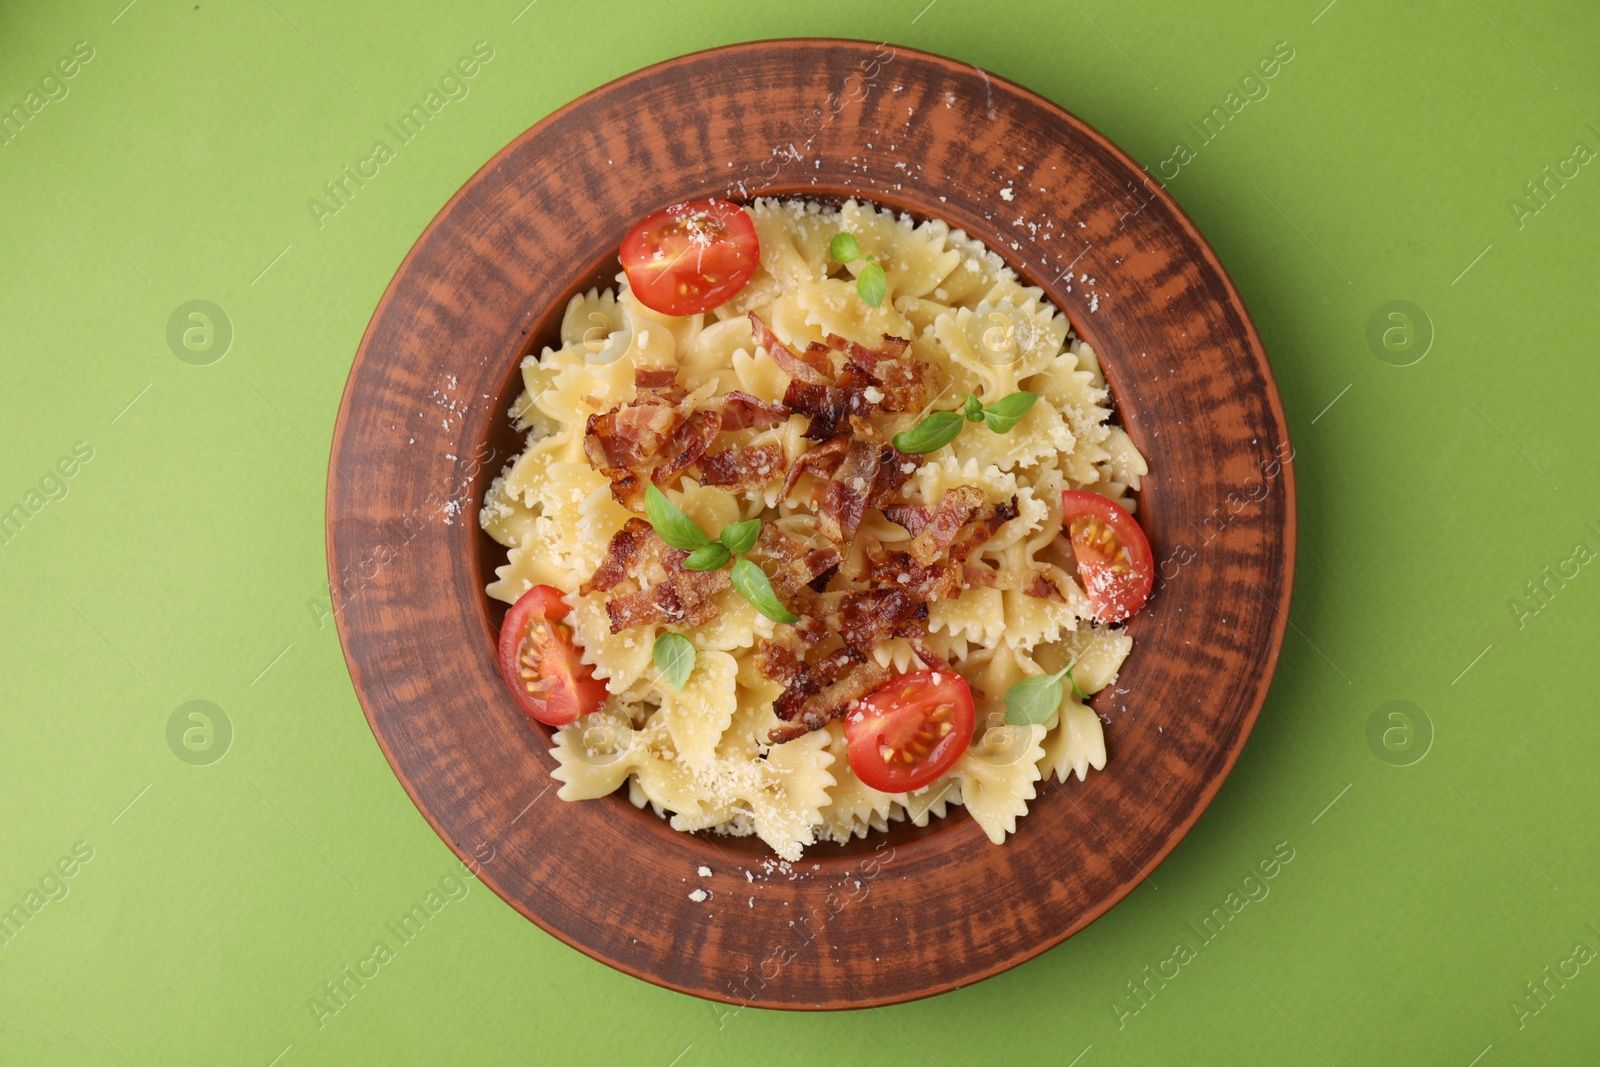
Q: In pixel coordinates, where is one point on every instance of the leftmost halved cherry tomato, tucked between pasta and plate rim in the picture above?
(540, 661)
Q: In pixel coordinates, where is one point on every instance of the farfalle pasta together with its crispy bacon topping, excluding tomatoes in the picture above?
(724, 388)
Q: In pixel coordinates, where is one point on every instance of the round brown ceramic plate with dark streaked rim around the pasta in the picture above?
(423, 430)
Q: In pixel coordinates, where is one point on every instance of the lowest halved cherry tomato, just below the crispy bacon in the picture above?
(911, 732)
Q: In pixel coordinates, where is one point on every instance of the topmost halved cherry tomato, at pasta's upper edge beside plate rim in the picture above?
(692, 257)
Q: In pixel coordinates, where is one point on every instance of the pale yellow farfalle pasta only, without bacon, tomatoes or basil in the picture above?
(700, 756)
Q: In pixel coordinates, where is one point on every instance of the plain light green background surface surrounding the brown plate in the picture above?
(186, 559)
